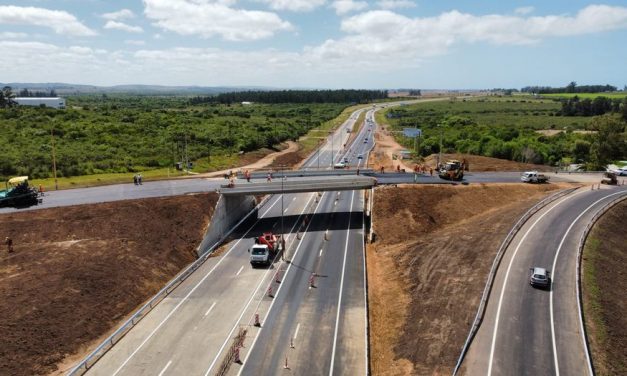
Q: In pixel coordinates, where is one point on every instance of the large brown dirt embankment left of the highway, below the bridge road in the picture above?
(77, 271)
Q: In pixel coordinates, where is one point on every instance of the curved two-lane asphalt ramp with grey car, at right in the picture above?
(529, 331)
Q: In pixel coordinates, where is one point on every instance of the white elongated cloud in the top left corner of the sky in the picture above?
(60, 21)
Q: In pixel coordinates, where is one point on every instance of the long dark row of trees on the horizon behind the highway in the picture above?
(294, 96)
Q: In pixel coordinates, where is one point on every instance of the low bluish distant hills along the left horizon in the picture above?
(72, 89)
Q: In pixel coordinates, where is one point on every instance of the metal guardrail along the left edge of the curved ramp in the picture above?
(495, 264)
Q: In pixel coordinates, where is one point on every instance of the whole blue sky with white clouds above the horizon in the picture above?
(315, 43)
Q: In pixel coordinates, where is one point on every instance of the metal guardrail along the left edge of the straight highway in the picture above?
(114, 338)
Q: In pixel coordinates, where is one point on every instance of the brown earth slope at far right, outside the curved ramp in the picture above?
(605, 292)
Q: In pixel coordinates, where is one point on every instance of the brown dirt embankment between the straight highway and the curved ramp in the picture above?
(428, 266)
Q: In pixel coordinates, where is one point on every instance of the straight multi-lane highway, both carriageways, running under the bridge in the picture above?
(190, 331)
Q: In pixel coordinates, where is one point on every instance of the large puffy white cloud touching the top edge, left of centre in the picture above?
(208, 18)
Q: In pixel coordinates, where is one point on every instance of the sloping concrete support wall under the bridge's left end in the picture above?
(229, 211)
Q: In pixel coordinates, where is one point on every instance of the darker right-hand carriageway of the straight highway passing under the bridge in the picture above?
(321, 329)
